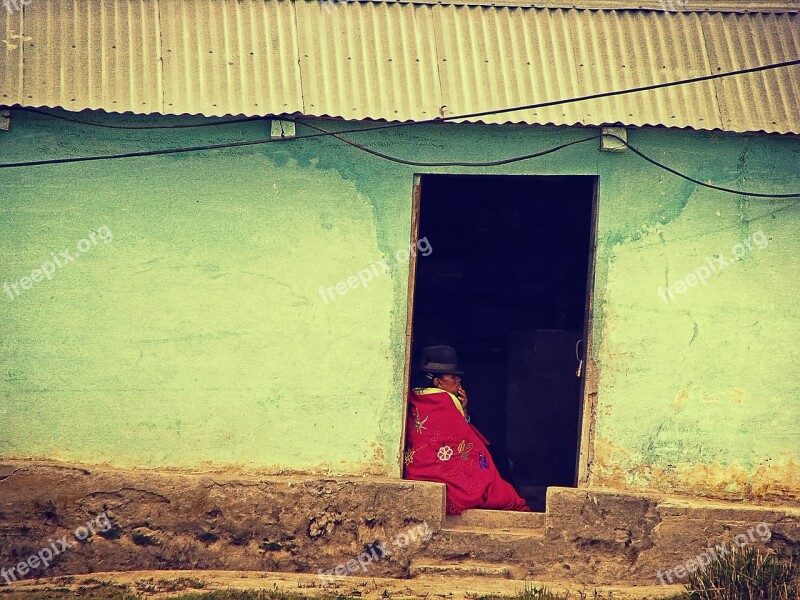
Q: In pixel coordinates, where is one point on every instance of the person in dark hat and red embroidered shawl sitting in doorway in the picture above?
(442, 445)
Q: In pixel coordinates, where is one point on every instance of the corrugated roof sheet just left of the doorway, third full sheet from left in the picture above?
(368, 61)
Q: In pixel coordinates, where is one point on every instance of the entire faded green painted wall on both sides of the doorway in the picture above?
(199, 336)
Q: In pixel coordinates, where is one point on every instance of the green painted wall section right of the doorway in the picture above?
(698, 386)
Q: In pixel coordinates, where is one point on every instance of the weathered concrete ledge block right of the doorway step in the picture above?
(619, 536)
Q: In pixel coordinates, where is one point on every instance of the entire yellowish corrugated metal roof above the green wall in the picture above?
(402, 61)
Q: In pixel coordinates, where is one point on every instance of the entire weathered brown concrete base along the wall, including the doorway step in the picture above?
(146, 520)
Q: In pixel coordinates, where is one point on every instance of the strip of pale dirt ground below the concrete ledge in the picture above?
(166, 584)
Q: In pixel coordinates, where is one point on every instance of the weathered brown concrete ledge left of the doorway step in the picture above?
(163, 520)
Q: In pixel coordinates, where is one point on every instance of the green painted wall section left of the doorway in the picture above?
(198, 335)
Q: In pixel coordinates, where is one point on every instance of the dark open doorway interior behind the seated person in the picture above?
(506, 285)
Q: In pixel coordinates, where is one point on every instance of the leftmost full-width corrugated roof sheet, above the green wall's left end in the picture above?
(102, 54)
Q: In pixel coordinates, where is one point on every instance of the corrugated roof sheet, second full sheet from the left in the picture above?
(230, 57)
